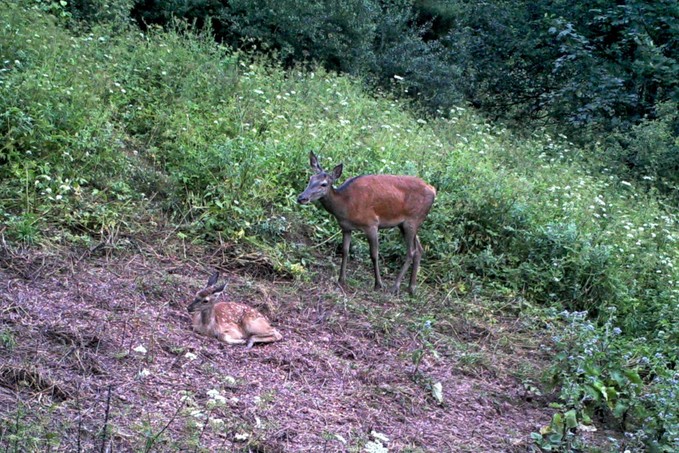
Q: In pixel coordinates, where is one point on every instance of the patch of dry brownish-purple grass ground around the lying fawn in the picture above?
(97, 354)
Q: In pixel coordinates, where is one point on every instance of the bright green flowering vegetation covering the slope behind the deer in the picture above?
(111, 132)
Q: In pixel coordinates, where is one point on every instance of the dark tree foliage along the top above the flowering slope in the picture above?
(596, 64)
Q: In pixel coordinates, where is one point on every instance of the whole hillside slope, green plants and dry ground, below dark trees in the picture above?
(134, 163)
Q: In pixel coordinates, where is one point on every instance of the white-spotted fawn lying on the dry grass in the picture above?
(229, 322)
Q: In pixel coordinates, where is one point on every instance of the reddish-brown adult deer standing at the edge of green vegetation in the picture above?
(371, 202)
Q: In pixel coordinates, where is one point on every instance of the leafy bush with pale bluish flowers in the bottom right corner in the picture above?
(603, 375)
